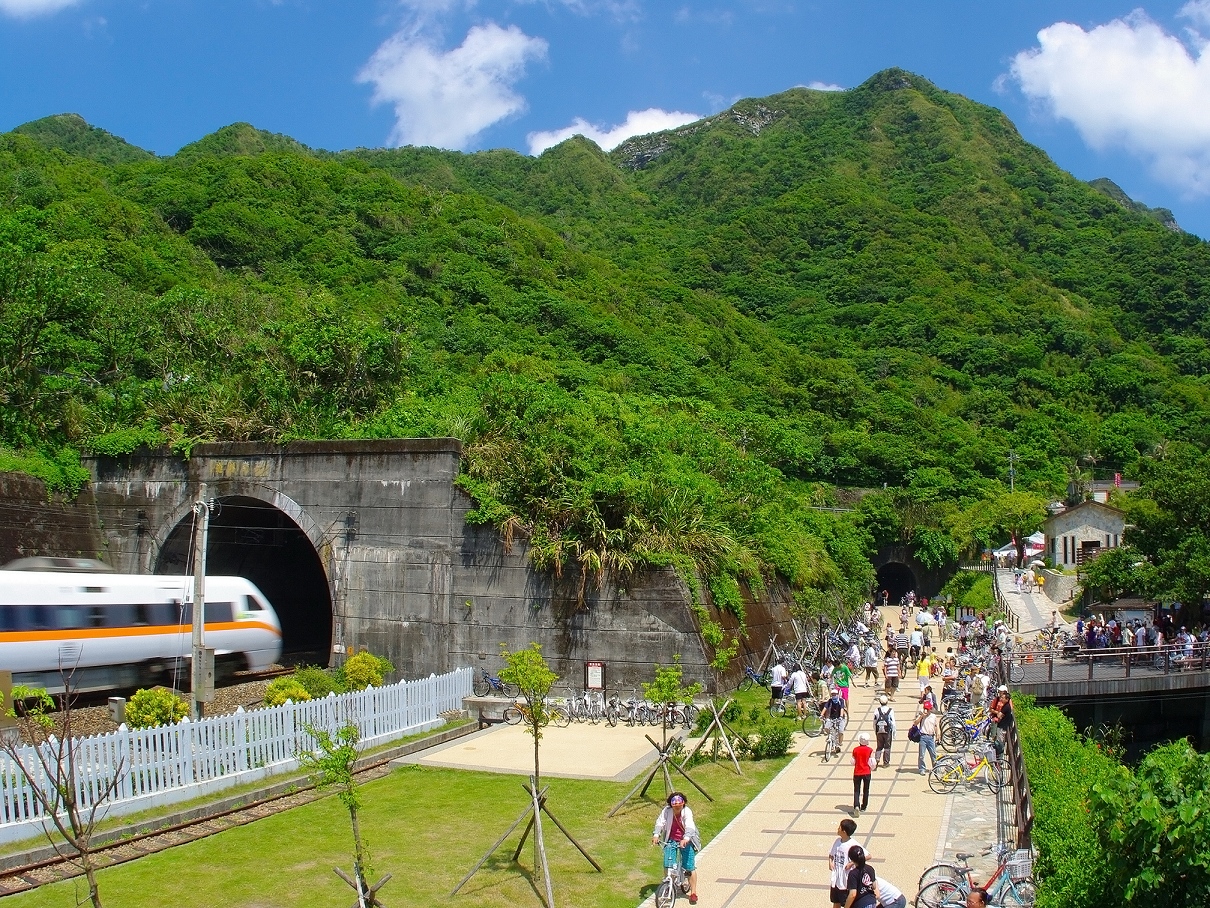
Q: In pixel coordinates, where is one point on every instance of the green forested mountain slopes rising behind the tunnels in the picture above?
(676, 352)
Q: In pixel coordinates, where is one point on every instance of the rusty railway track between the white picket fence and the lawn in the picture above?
(123, 850)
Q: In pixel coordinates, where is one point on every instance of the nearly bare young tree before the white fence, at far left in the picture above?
(53, 769)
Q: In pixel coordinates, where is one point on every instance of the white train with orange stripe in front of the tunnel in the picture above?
(118, 631)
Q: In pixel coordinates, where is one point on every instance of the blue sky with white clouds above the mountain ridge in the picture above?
(1108, 89)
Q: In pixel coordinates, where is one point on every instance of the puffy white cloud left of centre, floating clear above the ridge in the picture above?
(448, 99)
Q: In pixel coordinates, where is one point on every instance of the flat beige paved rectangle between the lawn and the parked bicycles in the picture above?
(619, 755)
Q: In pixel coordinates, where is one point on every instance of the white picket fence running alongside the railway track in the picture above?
(175, 763)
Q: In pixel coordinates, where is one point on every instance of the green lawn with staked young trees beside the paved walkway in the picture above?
(427, 827)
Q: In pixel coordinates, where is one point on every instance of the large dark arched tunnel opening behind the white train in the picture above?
(255, 541)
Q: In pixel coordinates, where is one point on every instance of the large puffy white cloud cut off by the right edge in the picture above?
(1128, 84)
